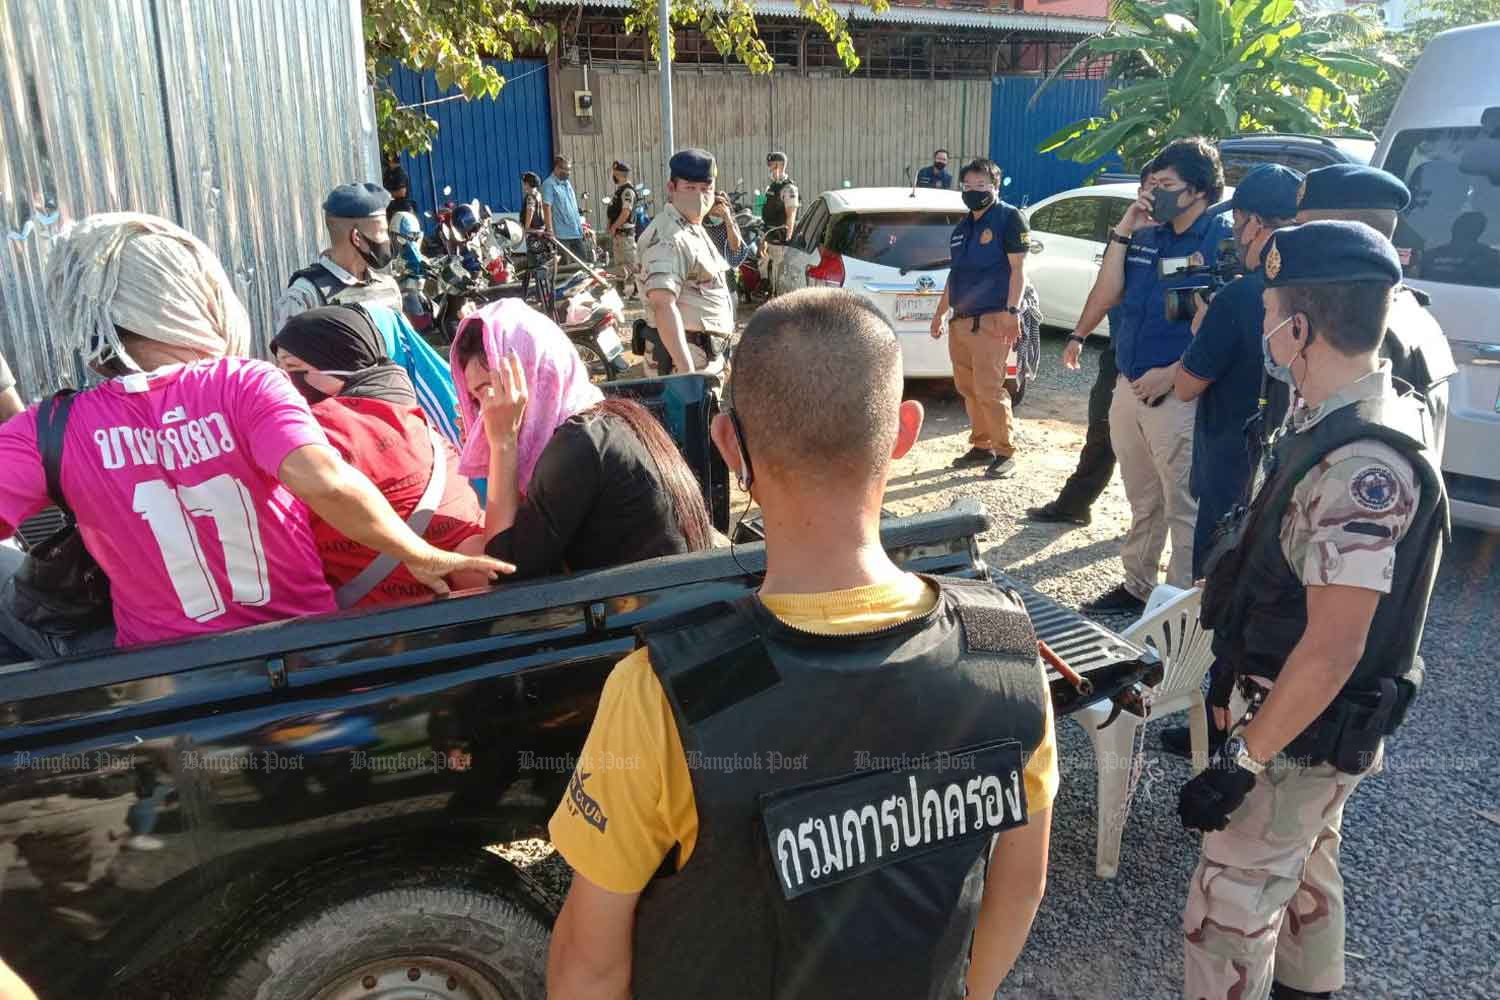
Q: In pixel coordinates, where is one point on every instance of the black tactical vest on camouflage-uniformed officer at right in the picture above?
(1258, 605)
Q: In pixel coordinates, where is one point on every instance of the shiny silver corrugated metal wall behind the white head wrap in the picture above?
(232, 119)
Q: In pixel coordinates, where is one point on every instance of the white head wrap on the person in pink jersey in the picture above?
(136, 274)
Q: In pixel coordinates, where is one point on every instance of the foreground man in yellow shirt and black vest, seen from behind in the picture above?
(839, 786)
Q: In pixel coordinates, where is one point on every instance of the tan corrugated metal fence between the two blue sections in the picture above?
(835, 130)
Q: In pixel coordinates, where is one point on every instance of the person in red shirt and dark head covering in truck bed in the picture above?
(368, 409)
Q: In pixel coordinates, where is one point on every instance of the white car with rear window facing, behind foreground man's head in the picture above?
(892, 245)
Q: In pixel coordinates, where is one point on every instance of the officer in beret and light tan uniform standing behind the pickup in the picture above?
(683, 272)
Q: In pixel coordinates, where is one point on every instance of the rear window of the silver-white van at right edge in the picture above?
(1453, 227)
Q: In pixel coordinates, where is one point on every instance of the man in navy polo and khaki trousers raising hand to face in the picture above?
(1150, 428)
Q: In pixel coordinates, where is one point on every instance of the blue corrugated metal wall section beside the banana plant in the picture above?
(1016, 131)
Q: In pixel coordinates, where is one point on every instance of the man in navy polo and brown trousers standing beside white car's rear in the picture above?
(985, 290)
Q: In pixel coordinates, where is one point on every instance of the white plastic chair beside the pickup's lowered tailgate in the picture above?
(1171, 627)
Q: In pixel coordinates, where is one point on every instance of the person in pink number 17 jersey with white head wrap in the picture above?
(191, 470)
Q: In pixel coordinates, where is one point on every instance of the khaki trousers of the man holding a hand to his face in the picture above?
(1154, 449)
